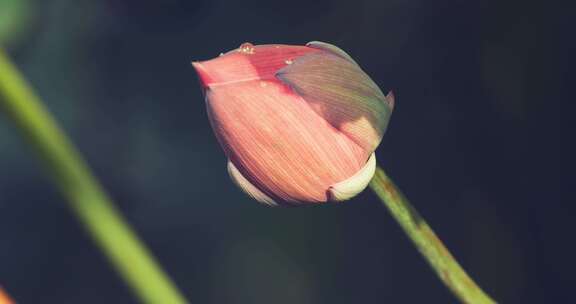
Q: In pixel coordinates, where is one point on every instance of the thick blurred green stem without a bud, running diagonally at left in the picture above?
(84, 194)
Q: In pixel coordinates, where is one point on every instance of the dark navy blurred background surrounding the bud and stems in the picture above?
(481, 141)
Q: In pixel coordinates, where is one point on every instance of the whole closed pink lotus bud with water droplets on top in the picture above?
(299, 124)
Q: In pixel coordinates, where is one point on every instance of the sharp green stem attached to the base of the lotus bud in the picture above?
(426, 241)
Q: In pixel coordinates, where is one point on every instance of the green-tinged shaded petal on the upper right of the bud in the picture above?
(338, 90)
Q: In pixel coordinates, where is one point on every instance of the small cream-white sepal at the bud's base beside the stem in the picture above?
(350, 187)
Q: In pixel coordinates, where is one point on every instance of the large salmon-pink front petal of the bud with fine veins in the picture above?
(278, 143)
